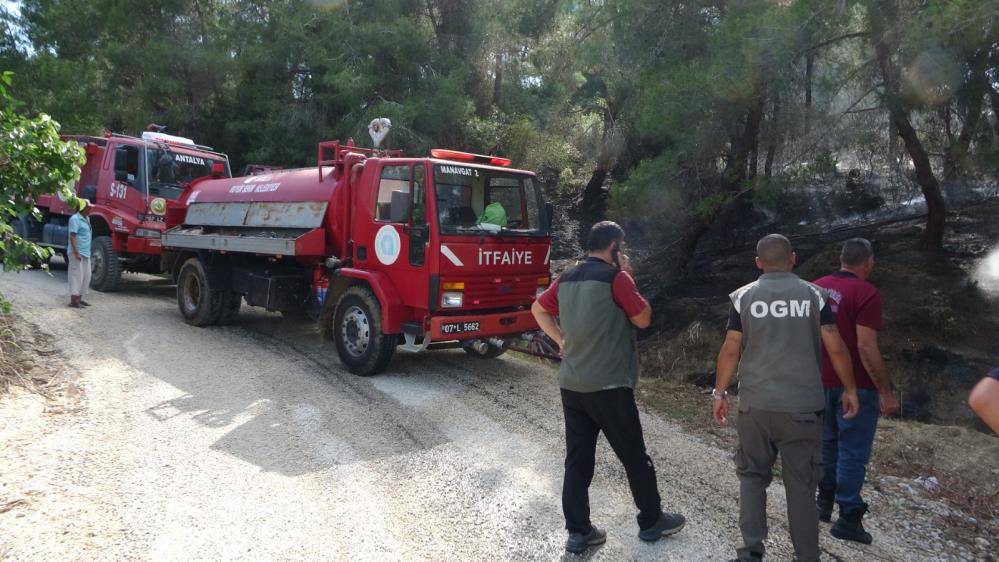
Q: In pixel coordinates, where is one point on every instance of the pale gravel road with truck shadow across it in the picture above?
(251, 442)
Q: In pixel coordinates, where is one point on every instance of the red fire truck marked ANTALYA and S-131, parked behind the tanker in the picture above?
(128, 181)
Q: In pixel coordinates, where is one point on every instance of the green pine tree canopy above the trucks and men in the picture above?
(665, 112)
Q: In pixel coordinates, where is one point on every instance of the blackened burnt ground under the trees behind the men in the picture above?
(940, 319)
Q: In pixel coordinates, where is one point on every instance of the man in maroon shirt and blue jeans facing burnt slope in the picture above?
(846, 443)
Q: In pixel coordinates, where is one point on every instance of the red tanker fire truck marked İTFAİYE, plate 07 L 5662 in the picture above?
(386, 251)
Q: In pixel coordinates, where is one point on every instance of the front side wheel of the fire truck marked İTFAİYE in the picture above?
(357, 330)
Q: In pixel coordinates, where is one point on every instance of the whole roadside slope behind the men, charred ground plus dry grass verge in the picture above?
(938, 338)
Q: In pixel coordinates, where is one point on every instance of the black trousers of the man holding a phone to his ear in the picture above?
(614, 412)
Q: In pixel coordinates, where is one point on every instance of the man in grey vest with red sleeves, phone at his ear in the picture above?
(599, 308)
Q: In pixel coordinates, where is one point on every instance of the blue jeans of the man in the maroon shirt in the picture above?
(846, 447)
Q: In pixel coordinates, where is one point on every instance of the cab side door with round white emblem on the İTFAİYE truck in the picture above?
(401, 234)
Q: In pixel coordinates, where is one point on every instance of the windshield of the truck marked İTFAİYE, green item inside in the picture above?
(479, 200)
